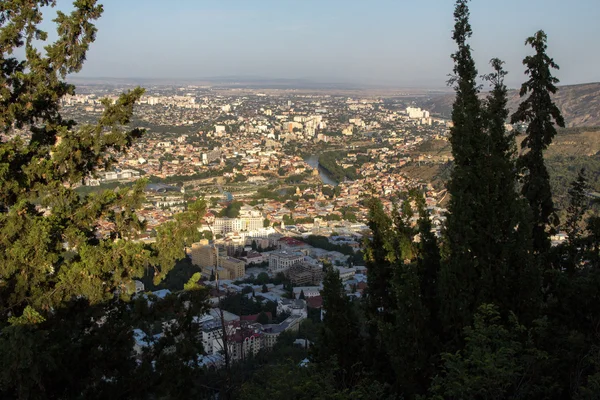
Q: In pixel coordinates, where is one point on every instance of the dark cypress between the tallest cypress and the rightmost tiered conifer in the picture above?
(509, 278)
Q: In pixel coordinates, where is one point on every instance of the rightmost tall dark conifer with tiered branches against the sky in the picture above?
(541, 114)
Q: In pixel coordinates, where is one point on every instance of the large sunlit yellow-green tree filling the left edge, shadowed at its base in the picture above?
(64, 290)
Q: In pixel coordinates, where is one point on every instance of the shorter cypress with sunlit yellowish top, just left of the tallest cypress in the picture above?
(411, 336)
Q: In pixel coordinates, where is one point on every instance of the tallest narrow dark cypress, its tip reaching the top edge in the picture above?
(466, 209)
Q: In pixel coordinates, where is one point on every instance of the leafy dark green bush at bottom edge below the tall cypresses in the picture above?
(499, 361)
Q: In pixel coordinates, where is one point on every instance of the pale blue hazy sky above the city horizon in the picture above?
(379, 42)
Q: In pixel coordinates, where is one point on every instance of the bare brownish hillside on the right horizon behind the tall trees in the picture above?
(580, 104)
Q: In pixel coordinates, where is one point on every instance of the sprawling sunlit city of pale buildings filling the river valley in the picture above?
(285, 177)
